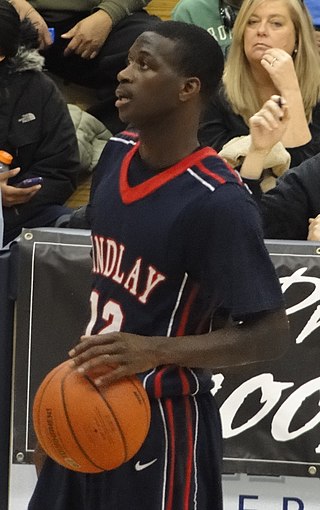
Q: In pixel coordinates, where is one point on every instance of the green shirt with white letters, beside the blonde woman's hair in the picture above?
(205, 14)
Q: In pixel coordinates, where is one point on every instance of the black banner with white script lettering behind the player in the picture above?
(270, 411)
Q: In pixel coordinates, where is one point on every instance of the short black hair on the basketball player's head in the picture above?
(198, 53)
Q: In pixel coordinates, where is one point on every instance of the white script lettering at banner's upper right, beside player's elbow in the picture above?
(314, 321)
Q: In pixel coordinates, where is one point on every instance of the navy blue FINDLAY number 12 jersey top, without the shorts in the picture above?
(173, 250)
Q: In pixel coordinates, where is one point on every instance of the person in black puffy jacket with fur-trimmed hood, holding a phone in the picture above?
(36, 128)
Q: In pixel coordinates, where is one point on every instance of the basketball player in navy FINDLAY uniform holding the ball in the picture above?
(182, 283)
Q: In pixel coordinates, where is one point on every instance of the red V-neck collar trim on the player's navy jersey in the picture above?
(130, 194)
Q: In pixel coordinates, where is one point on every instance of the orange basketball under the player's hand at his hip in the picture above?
(88, 428)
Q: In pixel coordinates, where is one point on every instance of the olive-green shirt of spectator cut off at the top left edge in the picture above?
(117, 9)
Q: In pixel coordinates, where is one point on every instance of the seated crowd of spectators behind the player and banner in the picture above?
(264, 121)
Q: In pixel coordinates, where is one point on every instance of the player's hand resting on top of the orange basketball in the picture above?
(124, 353)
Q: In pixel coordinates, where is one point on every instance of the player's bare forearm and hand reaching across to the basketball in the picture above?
(245, 342)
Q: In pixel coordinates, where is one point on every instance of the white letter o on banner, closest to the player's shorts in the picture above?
(271, 392)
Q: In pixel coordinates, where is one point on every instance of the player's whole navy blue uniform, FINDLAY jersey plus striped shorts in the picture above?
(172, 252)
